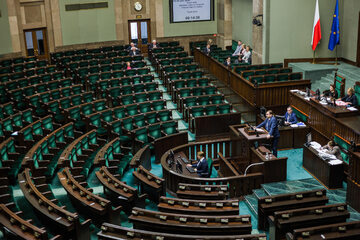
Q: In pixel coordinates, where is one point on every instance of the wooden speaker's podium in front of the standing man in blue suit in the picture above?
(243, 138)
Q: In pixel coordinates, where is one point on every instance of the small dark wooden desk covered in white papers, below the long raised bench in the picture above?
(329, 175)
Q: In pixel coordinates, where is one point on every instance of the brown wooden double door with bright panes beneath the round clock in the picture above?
(139, 33)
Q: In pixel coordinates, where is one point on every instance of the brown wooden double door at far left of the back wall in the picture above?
(36, 43)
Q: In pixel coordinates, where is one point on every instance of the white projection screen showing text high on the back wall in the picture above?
(191, 10)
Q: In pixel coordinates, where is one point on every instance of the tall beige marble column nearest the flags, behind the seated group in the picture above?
(257, 38)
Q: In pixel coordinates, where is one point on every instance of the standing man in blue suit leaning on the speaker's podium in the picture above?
(271, 126)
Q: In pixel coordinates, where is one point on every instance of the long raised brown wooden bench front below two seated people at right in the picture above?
(325, 121)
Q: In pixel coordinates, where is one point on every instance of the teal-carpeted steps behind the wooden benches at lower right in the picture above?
(270, 189)
